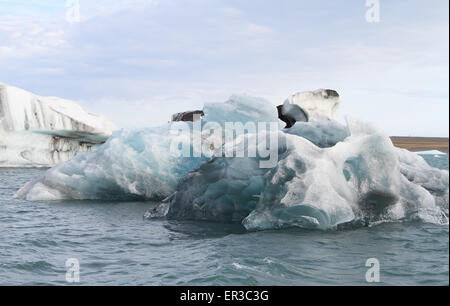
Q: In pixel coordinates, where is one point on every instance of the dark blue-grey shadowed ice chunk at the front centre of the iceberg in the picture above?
(222, 189)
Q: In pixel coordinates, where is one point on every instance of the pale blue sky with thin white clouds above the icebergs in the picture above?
(139, 61)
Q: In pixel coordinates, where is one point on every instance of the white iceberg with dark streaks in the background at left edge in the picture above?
(45, 131)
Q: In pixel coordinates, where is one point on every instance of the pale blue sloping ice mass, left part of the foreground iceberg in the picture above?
(131, 165)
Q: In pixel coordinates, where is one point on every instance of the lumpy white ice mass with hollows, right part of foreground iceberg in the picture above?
(358, 179)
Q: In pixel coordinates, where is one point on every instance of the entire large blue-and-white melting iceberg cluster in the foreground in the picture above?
(327, 175)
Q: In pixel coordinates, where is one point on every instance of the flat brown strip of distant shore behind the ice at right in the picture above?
(418, 144)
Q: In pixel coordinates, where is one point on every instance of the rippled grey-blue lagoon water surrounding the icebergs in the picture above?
(116, 246)
